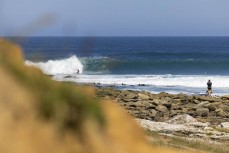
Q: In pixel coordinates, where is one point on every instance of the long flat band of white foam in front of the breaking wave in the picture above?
(195, 81)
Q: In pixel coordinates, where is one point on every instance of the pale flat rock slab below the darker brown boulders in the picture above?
(185, 126)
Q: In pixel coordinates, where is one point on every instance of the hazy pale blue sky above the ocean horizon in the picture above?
(114, 17)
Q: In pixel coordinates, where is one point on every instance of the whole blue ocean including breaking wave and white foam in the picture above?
(154, 64)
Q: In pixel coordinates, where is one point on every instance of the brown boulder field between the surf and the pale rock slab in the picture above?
(164, 106)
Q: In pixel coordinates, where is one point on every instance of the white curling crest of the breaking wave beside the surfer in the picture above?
(67, 66)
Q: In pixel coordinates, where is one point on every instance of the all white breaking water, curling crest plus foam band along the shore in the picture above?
(67, 70)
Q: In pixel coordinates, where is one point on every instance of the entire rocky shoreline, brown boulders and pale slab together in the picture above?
(180, 115)
